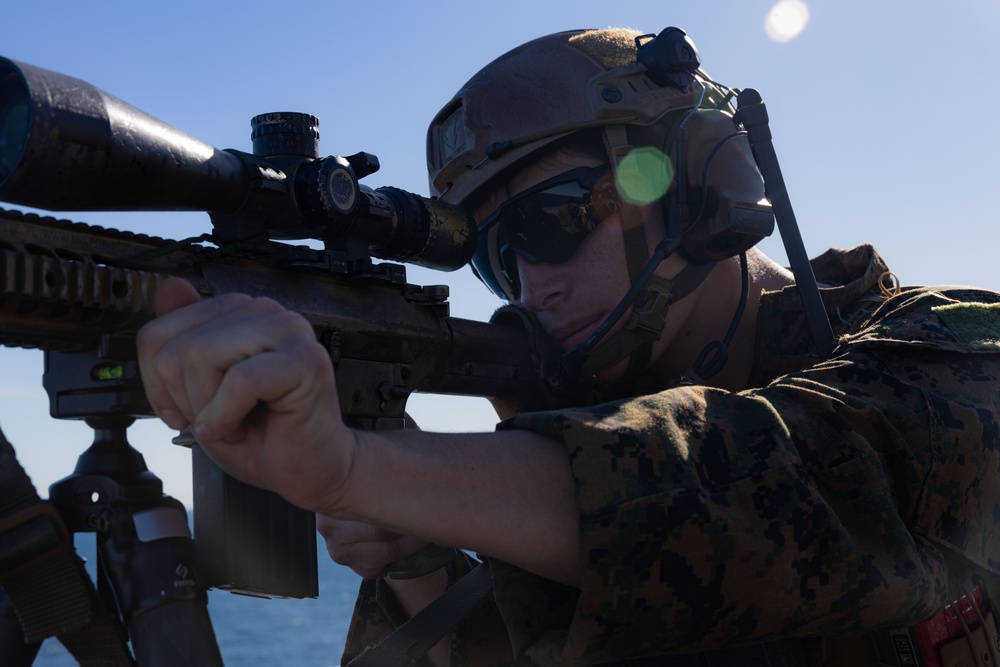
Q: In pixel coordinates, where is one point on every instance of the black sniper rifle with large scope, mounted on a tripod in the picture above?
(79, 292)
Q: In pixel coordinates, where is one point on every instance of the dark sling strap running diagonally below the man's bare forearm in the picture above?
(411, 641)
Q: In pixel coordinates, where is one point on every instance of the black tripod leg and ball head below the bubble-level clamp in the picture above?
(146, 557)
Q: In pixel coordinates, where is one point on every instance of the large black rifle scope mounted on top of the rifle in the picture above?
(66, 145)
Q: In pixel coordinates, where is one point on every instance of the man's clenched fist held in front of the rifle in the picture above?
(255, 387)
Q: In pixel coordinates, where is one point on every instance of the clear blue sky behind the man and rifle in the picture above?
(883, 118)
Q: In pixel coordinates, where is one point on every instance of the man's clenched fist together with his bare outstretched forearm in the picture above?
(259, 394)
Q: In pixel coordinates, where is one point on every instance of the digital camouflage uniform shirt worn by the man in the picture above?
(832, 498)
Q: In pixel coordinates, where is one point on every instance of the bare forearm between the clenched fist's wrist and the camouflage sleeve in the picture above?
(508, 495)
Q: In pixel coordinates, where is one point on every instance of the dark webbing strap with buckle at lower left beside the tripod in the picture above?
(44, 579)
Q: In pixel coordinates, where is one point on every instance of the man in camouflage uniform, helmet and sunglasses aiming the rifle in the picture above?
(745, 498)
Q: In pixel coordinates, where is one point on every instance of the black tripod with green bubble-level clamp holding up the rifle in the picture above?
(147, 579)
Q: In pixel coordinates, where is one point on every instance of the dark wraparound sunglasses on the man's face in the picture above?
(546, 223)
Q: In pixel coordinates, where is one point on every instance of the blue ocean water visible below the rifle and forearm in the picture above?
(256, 632)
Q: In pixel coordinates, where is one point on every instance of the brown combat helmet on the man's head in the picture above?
(540, 92)
